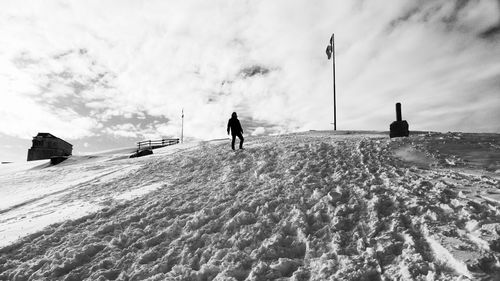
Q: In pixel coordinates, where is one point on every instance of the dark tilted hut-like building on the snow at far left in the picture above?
(46, 146)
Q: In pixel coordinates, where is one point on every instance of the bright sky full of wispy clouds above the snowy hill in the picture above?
(106, 74)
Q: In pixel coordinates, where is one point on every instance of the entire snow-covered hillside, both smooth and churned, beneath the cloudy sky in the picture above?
(309, 206)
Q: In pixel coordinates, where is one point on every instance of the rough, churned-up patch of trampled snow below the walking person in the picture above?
(302, 207)
